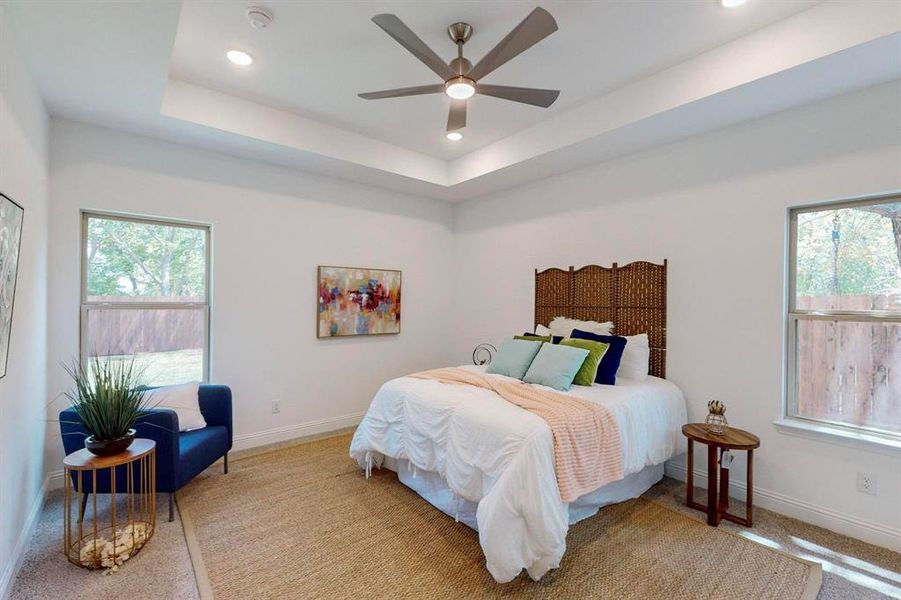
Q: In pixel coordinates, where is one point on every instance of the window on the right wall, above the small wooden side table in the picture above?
(844, 316)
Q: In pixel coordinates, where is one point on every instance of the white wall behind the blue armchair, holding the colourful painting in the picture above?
(271, 227)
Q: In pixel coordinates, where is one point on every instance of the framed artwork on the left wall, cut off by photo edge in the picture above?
(11, 215)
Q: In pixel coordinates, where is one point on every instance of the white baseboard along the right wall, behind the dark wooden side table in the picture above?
(872, 533)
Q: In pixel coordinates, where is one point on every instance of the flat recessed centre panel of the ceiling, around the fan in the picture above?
(317, 56)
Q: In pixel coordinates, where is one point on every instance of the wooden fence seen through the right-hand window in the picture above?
(850, 371)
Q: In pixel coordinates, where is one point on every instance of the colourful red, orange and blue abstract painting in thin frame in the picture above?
(356, 301)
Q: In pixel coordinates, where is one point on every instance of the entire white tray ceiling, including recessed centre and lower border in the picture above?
(632, 75)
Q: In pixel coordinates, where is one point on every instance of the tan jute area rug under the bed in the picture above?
(302, 522)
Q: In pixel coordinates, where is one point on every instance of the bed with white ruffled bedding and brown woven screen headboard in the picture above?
(490, 464)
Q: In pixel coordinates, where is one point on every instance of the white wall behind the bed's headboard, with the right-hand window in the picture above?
(715, 206)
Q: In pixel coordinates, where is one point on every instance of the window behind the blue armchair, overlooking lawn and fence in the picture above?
(145, 296)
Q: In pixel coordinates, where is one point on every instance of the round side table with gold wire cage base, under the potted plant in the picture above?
(124, 520)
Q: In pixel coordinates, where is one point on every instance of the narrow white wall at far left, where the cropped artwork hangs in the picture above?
(23, 177)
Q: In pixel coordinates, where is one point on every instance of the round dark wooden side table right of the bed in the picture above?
(731, 439)
